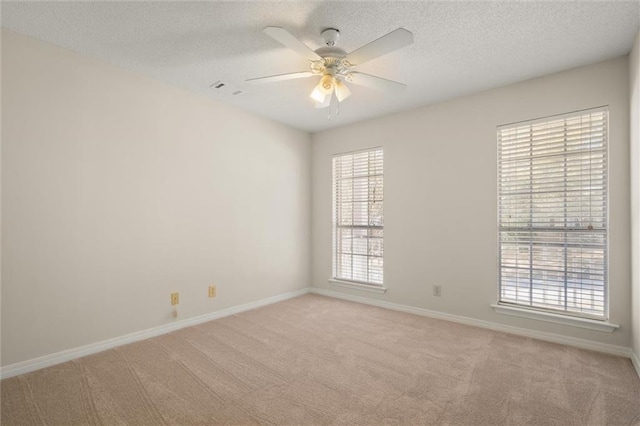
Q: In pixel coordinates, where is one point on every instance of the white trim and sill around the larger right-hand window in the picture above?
(576, 319)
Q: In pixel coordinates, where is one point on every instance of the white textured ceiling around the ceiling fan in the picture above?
(460, 47)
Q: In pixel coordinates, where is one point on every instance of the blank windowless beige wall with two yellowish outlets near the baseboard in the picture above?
(118, 190)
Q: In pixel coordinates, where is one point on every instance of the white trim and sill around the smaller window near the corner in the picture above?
(339, 281)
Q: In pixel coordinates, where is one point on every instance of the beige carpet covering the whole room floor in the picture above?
(316, 360)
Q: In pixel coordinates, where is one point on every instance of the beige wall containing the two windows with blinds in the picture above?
(440, 194)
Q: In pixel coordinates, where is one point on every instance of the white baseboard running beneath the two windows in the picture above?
(540, 335)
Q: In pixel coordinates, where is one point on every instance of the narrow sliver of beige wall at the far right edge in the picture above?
(634, 79)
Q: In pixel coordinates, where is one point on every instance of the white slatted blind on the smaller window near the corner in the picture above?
(358, 221)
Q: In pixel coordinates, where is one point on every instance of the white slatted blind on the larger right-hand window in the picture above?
(552, 213)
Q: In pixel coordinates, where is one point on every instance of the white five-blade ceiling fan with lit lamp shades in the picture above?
(335, 66)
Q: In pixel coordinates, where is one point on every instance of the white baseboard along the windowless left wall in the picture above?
(75, 353)
